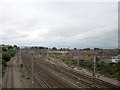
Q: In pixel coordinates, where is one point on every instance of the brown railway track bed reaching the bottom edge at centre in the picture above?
(55, 82)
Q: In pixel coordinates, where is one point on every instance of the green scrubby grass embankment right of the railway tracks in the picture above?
(110, 70)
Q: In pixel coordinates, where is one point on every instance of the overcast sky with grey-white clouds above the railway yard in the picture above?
(60, 24)
